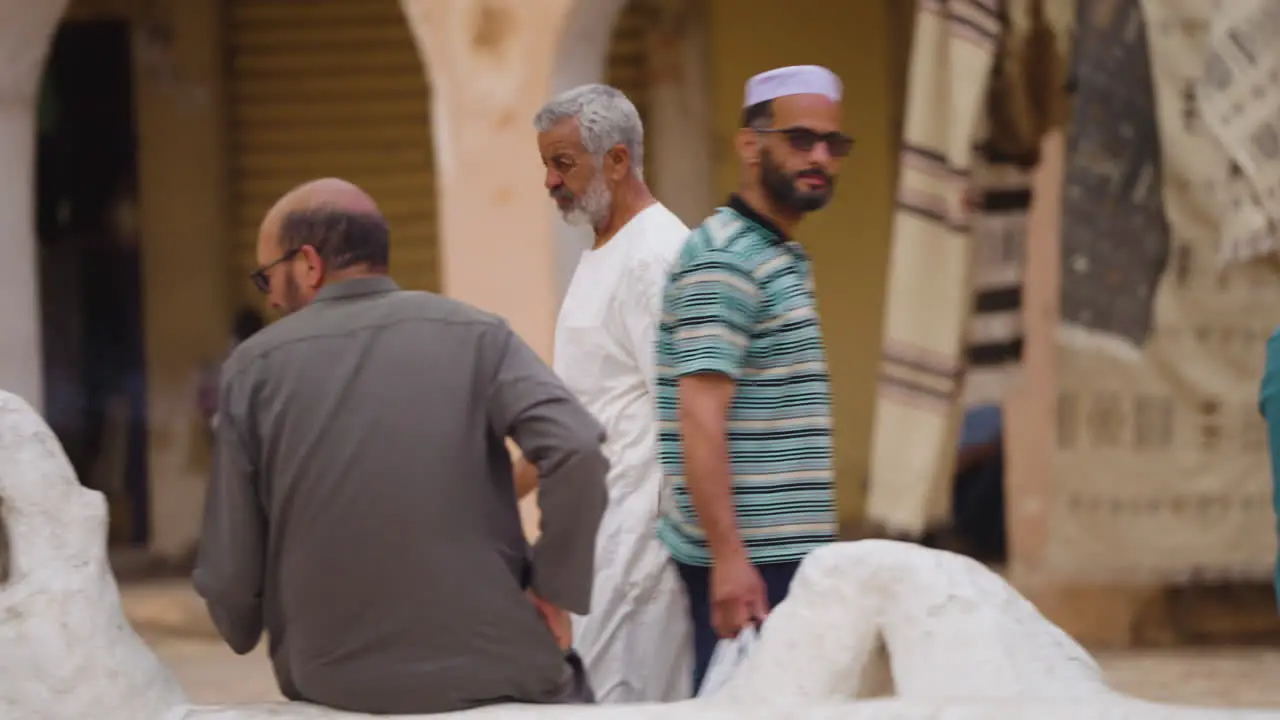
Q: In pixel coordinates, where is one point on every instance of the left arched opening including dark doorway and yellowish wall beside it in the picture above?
(131, 249)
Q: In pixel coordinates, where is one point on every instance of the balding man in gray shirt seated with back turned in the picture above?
(362, 508)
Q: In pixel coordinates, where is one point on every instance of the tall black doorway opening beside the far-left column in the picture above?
(90, 263)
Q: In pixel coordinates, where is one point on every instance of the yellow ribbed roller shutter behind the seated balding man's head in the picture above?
(331, 89)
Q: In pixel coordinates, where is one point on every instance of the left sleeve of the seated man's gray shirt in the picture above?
(231, 558)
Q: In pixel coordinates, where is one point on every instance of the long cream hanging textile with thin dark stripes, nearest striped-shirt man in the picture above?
(931, 271)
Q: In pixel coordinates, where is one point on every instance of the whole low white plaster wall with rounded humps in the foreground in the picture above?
(962, 645)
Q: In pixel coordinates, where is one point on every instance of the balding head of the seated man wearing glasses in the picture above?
(318, 233)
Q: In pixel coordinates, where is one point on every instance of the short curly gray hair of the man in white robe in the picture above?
(606, 119)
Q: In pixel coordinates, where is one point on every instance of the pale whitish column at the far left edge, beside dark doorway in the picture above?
(26, 31)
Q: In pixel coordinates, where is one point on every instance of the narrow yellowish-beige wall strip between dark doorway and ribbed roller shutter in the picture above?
(185, 261)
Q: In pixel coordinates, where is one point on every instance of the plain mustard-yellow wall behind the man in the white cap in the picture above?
(849, 240)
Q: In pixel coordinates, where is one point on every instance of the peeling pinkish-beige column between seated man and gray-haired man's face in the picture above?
(490, 67)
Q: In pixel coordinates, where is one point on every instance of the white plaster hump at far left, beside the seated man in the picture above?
(66, 648)
